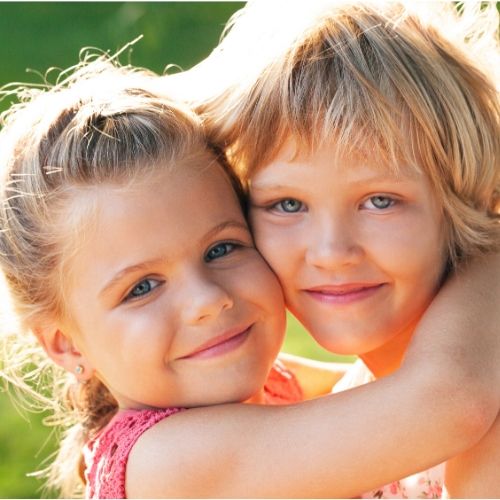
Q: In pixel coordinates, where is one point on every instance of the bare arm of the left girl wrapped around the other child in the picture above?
(440, 402)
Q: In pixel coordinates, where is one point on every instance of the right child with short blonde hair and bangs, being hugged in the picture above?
(368, 136)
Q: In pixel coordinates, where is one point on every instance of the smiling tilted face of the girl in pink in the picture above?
(170, 303)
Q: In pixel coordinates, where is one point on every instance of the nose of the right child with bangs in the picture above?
(333, 243)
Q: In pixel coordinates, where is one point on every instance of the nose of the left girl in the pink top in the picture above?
(204, 300)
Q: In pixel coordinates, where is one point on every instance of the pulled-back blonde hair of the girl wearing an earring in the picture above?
(101, 123)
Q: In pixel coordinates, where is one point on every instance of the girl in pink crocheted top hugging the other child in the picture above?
(127, 255)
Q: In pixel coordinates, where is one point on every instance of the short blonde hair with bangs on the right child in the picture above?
(416, 83)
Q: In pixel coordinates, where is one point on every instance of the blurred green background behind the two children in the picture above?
(38, 36)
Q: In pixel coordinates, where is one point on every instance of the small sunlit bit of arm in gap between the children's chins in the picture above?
(316, 378)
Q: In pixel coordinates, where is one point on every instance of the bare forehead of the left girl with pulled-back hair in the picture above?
(159, 216)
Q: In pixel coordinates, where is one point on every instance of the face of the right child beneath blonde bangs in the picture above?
(359, 251)
